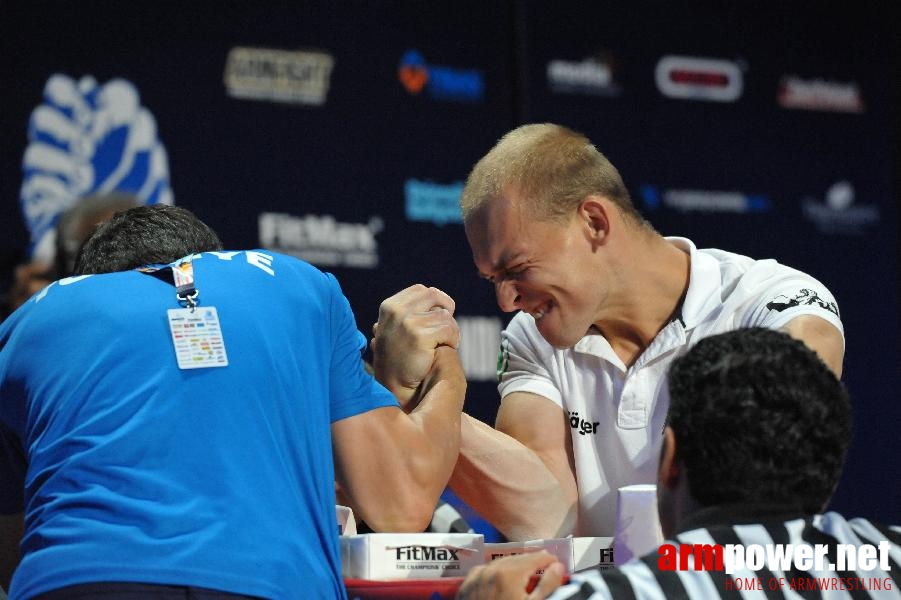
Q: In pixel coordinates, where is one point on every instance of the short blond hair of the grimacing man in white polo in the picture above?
(552, 168)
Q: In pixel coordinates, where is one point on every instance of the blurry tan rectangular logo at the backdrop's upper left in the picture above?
(288, 76)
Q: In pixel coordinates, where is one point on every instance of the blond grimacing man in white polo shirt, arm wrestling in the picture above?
(605, 304)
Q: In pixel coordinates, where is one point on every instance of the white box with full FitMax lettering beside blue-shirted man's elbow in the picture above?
(388, 556)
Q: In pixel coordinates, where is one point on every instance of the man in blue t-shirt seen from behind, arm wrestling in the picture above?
(173, 420)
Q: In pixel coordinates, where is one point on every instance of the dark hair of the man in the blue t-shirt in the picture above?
(158, 234)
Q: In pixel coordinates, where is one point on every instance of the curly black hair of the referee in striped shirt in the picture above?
(758, 417)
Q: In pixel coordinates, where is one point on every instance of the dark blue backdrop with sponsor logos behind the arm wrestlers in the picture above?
(367, 179)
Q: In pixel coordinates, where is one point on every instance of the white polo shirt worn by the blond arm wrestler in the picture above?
(617, 413)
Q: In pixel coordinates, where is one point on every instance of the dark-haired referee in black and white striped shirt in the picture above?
(758, 429)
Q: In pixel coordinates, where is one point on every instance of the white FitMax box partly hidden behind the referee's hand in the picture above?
(576, 554)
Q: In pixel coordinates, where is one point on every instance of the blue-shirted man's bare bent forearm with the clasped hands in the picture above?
(393, 465)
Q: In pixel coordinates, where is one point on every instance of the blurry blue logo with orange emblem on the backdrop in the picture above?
(439, 82)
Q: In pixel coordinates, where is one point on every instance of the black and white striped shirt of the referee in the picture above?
(643, 579)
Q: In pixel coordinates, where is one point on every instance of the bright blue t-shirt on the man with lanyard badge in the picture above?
(218, 477)
